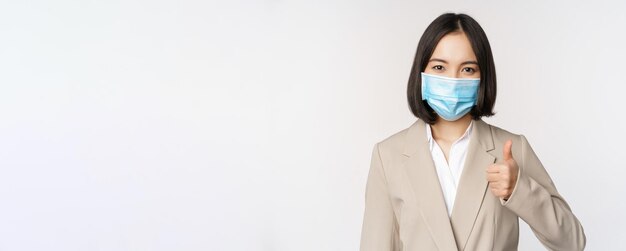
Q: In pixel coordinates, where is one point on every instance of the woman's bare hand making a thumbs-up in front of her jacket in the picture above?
(502, 176)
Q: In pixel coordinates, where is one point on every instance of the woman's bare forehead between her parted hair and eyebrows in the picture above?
(454, 47)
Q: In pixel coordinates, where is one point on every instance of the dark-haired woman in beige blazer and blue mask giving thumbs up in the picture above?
(451, 181)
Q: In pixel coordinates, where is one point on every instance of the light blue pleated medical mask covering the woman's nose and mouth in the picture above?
(451, 98)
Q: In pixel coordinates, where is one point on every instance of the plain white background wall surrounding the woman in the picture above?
(241, 125)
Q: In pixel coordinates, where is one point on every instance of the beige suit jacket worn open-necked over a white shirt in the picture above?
(405, 208)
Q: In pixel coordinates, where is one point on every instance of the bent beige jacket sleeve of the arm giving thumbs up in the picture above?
(536, 200)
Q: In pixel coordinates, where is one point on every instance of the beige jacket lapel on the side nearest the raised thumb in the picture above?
(473, 183)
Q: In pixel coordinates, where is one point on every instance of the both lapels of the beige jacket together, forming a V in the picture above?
(423, 177)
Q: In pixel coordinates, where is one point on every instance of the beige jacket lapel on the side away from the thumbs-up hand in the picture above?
(421, 171)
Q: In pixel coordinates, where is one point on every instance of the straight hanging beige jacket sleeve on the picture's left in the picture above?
(380, 229)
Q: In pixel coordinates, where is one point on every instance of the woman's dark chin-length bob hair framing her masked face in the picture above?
(441, 26)
